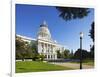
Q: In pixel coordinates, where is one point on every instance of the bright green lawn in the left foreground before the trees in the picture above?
(35, 66)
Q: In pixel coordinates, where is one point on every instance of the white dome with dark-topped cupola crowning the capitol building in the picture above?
(44, 32)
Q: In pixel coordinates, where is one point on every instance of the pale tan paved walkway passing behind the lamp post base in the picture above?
(74, 65)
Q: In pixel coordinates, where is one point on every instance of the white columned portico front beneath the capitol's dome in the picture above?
(47, 49)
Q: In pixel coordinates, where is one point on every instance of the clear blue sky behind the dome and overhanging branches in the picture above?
(29, 18)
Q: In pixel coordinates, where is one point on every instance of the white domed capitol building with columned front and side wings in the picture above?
(45, 44)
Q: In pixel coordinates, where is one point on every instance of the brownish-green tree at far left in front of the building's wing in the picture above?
(23, 49)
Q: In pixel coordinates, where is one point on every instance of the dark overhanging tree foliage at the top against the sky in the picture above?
(69, 13)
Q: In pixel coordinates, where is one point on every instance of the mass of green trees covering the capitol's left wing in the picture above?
(26, 50)
